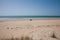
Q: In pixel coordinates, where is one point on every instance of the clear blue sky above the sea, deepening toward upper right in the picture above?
(29, 7)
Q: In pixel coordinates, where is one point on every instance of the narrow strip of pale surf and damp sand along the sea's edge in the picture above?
(28, 19)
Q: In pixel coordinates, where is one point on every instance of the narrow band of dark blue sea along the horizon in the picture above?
(29, 16)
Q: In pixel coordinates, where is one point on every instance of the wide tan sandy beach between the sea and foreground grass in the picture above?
(17, 28)
